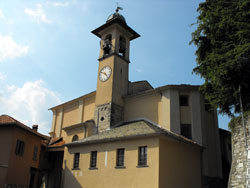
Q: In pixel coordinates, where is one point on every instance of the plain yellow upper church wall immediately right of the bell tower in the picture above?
(146, 106)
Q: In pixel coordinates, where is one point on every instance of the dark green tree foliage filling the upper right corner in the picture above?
(222, 38)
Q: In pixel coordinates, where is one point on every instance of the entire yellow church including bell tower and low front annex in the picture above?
(129, 134)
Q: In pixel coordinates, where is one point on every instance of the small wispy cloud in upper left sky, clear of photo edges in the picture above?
(37, 15)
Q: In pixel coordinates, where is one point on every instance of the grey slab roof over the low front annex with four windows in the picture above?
(132, 129)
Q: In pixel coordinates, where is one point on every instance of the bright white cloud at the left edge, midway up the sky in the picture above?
(10, 49)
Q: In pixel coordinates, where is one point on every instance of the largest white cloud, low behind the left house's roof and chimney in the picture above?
(29, 104)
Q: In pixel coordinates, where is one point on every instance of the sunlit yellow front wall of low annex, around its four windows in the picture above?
(107, 176)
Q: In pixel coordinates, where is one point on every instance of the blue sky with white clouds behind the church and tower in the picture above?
(48, 54)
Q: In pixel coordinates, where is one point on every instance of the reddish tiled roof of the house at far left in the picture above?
(6, 120)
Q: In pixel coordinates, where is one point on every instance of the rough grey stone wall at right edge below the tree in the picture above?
(240, 172)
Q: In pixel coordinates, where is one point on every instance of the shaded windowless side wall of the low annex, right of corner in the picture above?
(179, 165)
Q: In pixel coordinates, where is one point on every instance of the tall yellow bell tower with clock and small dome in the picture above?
(112, 82)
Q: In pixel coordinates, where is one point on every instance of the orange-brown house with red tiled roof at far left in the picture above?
(22, 154)
